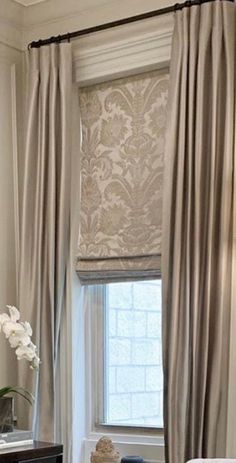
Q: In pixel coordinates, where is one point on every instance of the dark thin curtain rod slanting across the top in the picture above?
(119, 22)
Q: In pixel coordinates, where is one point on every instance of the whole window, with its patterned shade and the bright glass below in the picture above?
(123, 125)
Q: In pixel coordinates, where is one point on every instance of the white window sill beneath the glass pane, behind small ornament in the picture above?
(151, 448)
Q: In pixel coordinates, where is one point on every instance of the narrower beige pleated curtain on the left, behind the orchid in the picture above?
(47, 216)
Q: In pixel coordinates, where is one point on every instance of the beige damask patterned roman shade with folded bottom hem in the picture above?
(123, 124)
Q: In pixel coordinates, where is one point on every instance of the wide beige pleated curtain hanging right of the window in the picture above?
(197, 231)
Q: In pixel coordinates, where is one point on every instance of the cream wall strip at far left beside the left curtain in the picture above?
(10, 94)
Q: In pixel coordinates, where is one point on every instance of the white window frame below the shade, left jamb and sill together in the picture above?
(145, 441)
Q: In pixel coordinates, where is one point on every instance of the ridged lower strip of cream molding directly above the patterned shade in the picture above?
(98, 64)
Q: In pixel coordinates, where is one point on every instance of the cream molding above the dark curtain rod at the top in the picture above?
(47, 19)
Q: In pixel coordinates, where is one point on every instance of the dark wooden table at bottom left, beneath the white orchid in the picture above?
(38, 452)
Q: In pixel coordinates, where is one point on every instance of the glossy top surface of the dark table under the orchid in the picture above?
(37, 449)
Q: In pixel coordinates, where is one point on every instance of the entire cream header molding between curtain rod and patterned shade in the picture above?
(105, 56)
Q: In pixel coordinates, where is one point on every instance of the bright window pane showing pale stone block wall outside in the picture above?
(133, 357)
